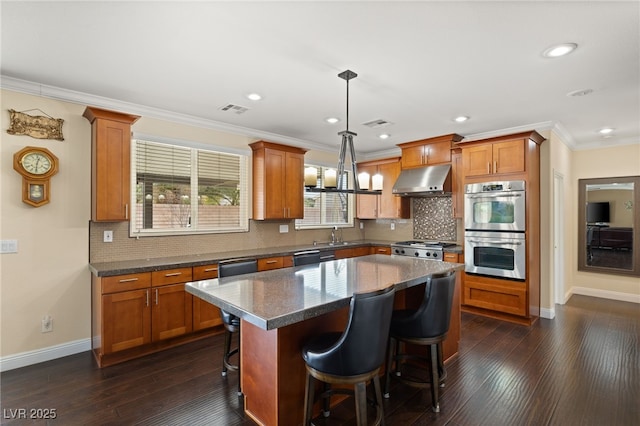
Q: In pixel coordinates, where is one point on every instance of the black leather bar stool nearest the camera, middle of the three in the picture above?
(352, 357)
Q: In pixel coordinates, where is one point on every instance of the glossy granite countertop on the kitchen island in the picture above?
(277, 298)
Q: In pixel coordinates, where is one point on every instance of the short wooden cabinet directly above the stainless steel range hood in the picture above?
(428, 151)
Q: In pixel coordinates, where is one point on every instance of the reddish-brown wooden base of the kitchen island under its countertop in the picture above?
(273, 371)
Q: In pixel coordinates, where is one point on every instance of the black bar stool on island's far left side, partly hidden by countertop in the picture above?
(231, 322)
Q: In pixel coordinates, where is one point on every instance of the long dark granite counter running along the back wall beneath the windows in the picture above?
(133, 266)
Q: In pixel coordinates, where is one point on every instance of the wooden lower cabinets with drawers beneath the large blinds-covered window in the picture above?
(137, 314)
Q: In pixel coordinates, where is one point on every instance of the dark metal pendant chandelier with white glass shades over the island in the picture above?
(360, 181)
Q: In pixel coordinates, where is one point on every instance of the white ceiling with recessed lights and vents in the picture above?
(420, 64)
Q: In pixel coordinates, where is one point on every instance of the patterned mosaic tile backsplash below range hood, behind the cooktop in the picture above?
(432, 219)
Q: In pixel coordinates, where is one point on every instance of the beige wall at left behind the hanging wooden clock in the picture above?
(48, 275)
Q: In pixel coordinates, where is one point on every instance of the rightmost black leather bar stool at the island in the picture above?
(426, 326)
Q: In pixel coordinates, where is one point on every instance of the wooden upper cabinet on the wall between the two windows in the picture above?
(278, 181)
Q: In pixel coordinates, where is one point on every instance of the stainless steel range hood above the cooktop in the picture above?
(426, 181)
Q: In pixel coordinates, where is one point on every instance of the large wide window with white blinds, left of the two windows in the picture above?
(180, 190)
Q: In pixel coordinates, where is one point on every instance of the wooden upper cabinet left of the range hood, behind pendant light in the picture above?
(386, 205)
